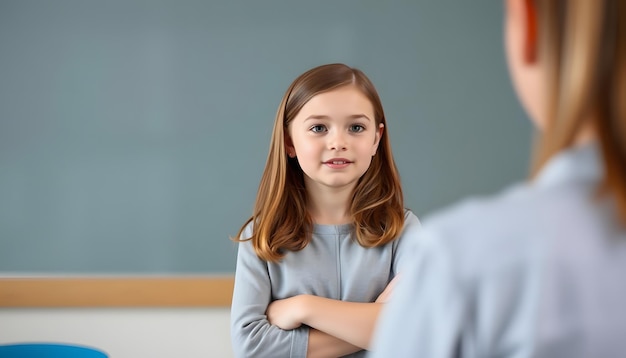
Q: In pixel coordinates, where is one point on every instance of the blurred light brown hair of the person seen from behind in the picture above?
(583, 43)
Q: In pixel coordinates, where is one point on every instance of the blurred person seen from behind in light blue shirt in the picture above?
(539, 270)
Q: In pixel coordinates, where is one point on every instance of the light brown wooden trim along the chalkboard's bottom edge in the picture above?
(116, 291)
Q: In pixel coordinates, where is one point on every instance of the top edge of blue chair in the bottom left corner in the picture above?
(49, 350)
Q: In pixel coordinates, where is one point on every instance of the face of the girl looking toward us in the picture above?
(334, 137)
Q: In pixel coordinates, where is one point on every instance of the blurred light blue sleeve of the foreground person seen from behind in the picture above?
(424, 316)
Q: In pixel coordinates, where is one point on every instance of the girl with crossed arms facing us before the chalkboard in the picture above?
(329, 228)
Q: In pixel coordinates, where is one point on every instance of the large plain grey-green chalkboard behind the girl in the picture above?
(133, 133)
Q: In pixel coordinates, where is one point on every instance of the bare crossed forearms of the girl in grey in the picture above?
(337, 327)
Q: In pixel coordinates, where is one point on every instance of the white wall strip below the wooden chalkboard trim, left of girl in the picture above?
(125, 332)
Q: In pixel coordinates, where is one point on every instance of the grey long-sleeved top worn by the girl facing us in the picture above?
(332, 265)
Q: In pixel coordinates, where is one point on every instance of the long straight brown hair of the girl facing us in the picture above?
(280, 219)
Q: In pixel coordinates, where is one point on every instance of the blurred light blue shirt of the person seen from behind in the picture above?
(537, 271)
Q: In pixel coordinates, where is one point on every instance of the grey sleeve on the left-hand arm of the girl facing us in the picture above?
(251, 333)
